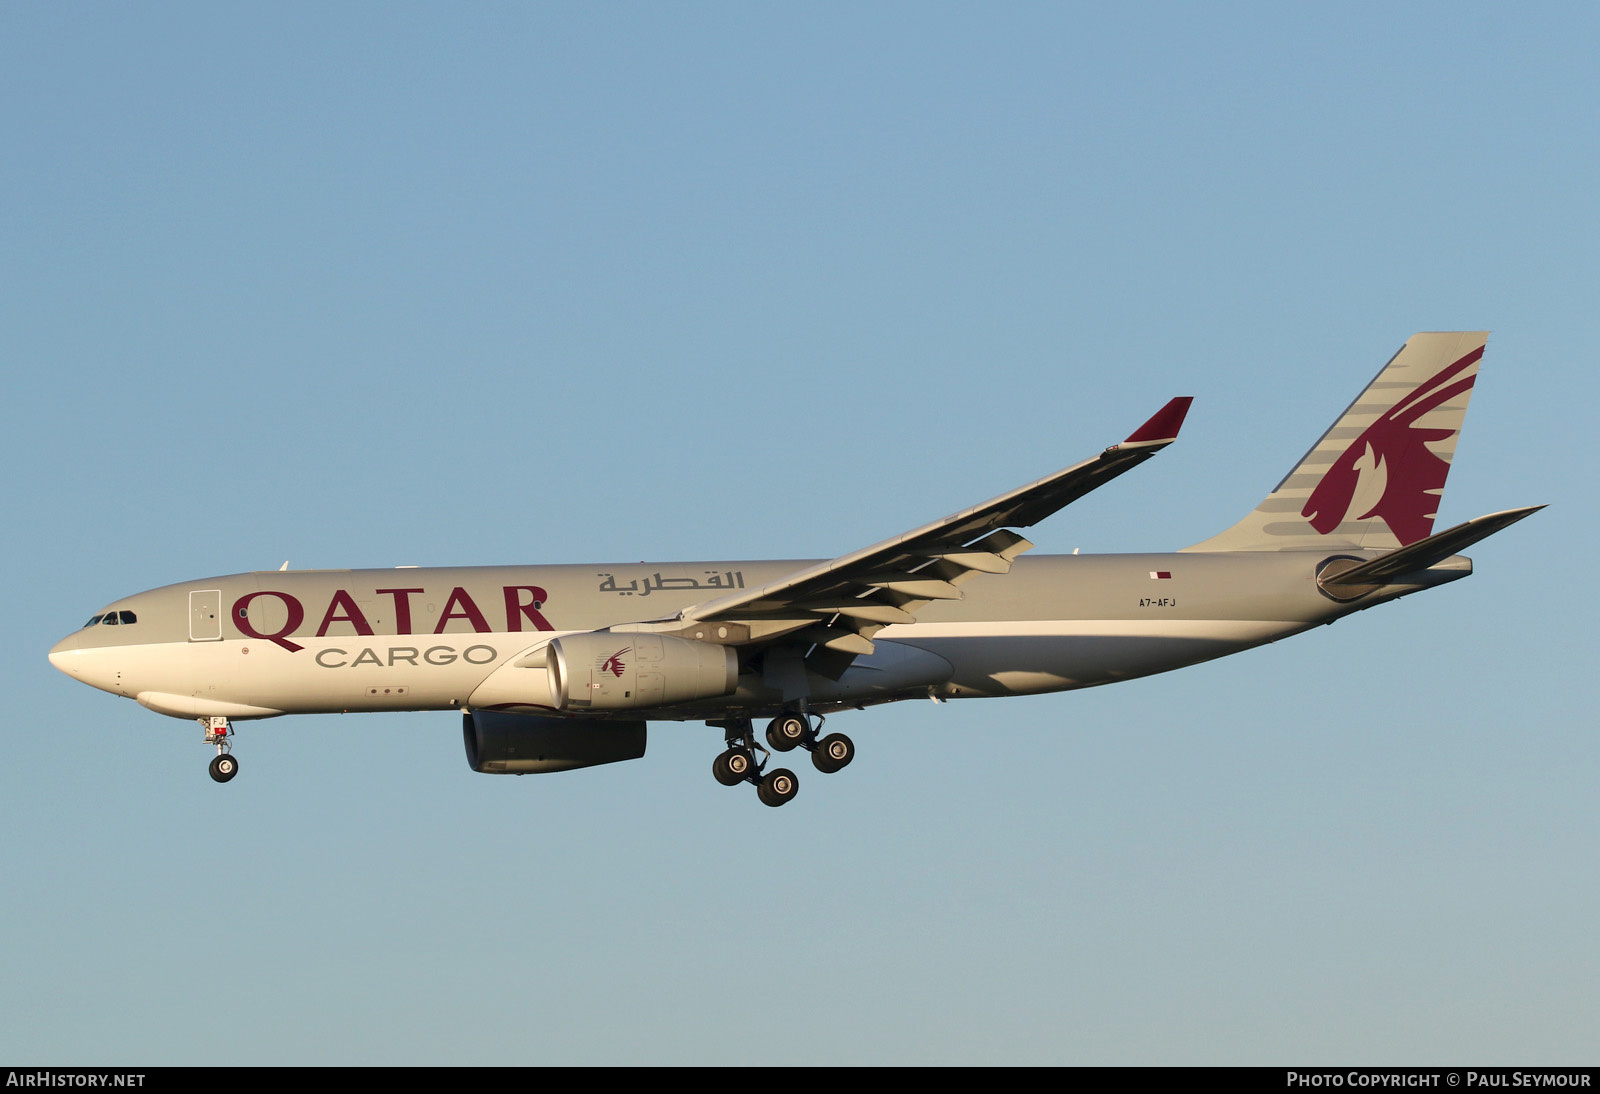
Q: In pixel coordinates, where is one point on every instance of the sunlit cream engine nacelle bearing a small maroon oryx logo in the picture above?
(625, 671)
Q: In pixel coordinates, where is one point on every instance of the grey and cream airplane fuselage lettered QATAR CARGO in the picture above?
(362, 641)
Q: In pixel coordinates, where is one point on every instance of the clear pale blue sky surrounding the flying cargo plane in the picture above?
(388, 285)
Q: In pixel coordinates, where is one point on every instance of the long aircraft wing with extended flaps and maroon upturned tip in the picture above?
(838, 607)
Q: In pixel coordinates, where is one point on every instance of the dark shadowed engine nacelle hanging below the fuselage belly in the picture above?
(524, 745)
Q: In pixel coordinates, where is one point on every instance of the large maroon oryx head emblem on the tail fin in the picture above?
(1390, 471)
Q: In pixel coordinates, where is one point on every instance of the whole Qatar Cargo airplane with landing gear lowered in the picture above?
(562, 668)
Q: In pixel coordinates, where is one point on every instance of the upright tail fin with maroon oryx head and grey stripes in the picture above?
(1375, 479)
